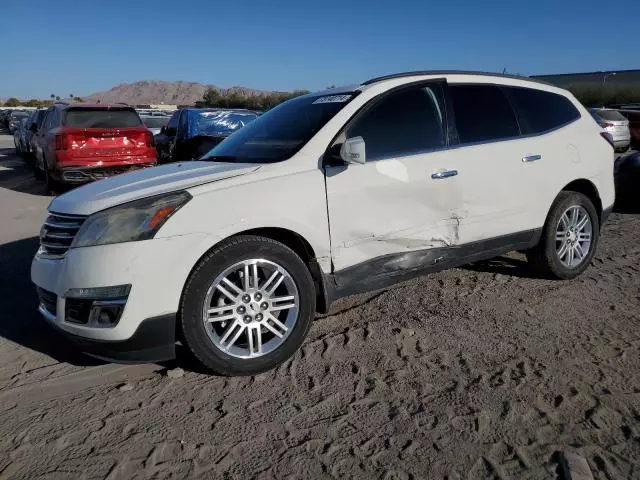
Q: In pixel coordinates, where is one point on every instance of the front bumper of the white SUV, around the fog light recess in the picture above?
(156, 270)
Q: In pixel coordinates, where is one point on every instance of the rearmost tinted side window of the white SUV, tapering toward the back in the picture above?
(540, 111)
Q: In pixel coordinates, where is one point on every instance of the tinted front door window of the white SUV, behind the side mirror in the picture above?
(402, 123)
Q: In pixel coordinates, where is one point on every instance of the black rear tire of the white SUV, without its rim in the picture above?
(543, 258)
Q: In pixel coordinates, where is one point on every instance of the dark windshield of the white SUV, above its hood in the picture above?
(281, 132)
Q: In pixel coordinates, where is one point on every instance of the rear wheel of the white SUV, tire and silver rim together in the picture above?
(569, 238)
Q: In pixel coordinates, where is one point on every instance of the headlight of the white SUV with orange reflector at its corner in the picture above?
(130, 222)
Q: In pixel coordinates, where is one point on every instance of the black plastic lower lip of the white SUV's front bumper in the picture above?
(153, 341)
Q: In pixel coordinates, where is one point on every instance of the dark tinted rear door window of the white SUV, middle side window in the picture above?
(483, 113)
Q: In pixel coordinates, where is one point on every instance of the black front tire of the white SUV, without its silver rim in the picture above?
(215, 262)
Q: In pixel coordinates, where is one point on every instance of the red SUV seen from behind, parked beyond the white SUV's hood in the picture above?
(79, 143)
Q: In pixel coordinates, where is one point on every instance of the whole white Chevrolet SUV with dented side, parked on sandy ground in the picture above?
(326, 195)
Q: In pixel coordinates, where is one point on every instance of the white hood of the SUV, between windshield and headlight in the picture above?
(119, 189)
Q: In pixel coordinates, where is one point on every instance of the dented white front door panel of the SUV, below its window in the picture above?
(392, 206)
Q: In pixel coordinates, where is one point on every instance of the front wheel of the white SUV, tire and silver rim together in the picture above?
(247, 306)
